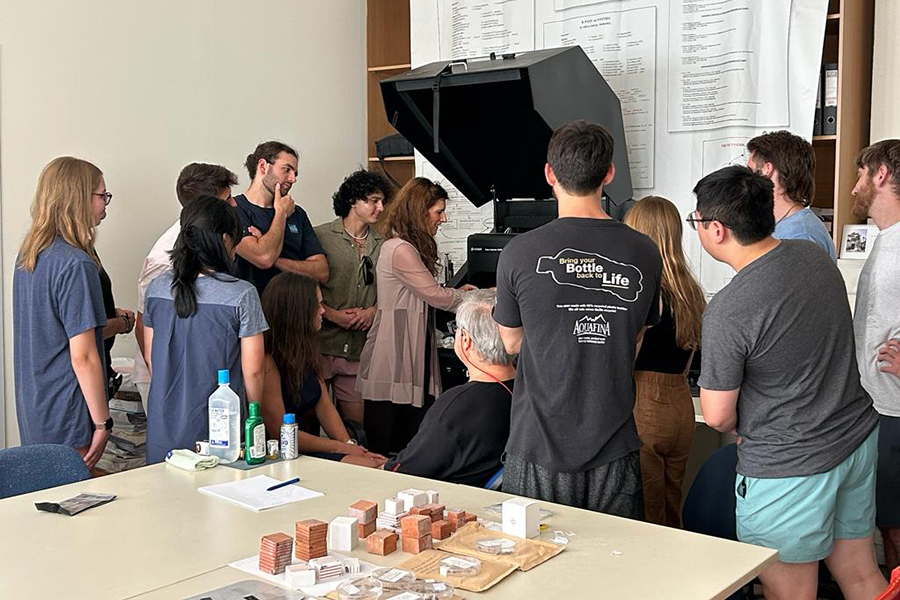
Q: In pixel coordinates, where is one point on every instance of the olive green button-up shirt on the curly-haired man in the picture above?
(346, 286)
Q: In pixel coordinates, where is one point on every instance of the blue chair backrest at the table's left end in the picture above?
(36, 467)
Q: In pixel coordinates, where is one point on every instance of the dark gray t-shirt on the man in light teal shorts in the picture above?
(781, 331)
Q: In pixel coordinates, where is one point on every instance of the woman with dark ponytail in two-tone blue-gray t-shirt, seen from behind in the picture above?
(199, 318)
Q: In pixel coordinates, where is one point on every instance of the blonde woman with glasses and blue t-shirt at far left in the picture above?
(59, 314)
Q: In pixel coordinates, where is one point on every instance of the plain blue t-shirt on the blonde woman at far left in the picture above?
(59, 300)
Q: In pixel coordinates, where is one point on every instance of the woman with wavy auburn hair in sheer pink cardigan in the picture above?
(398, 374)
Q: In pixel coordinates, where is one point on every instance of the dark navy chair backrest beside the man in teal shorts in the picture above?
(710, 504)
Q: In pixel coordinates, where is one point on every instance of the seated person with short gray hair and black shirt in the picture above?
(464, 434)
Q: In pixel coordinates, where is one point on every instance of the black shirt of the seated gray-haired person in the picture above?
(461, 437)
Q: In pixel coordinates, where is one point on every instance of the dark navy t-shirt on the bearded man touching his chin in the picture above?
(300, 241)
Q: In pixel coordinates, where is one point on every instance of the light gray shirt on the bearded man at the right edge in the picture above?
(877, 319)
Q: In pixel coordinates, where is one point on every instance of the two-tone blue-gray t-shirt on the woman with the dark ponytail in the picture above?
(188, 353)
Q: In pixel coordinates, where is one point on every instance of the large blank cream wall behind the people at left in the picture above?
(143, 88)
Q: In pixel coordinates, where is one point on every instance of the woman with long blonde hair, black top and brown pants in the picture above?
(663, 410)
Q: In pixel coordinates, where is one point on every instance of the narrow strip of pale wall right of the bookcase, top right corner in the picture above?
(886, 71)
